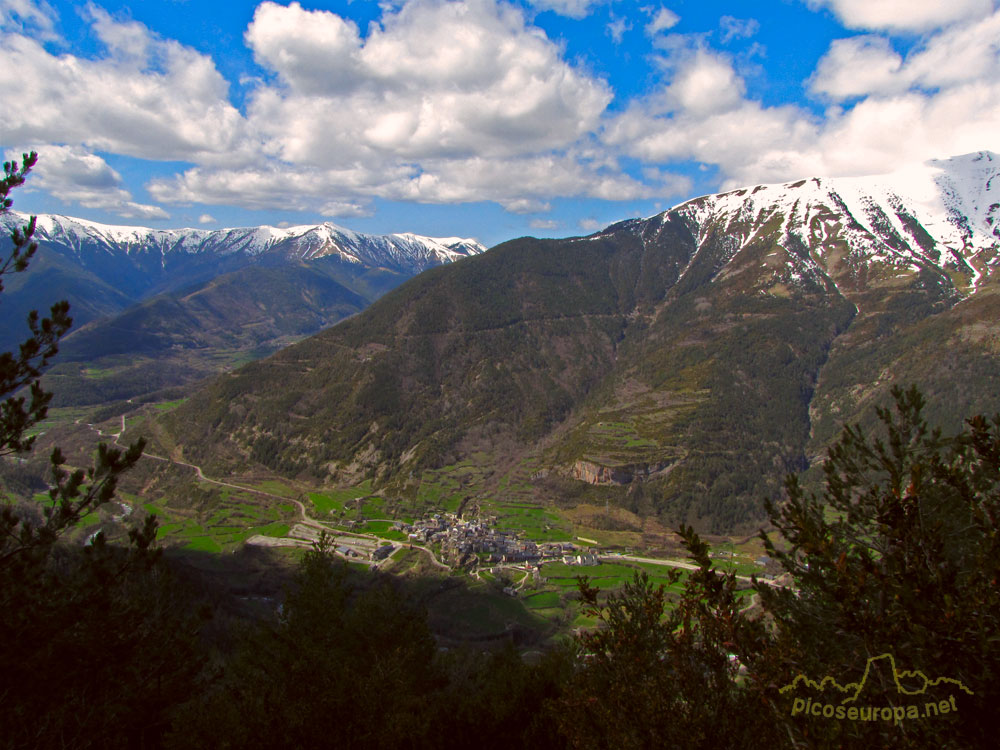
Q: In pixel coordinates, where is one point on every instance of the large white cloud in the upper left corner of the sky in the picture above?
(147, 97)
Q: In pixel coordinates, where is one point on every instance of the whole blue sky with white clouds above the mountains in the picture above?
(476, 118)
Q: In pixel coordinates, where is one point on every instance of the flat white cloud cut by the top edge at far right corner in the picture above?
(905, 15)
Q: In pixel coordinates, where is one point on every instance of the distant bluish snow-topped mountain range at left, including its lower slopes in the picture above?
(157, 308)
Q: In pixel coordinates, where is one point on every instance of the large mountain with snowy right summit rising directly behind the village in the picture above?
(678, 365)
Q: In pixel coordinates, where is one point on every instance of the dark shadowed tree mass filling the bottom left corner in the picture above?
(99, 645)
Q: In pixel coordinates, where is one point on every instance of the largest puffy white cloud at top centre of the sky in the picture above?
(435, 79)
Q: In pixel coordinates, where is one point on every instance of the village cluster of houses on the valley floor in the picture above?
(463, 542)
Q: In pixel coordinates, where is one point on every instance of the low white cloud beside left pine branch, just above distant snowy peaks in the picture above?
(75, 175)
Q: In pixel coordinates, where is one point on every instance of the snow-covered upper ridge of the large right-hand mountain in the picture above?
(943, 215)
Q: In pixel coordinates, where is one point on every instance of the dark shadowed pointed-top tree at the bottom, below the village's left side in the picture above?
(348, 664)
